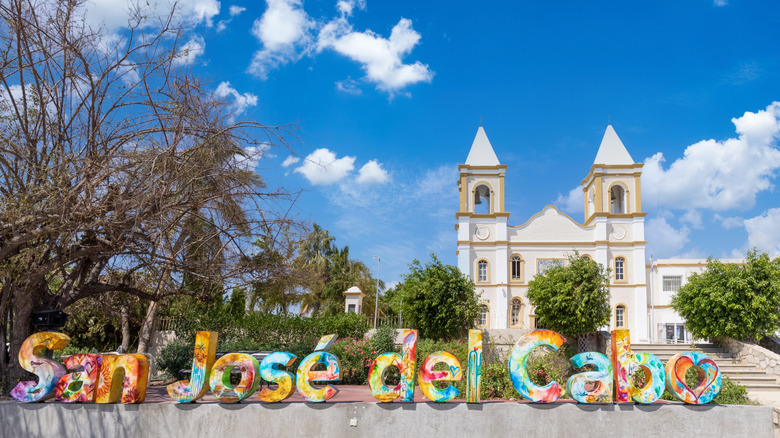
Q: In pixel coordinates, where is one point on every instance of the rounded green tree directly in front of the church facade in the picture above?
(572, 300)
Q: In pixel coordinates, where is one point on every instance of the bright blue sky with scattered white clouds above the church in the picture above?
(389, 95)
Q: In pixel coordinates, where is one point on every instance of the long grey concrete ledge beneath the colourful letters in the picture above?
(497, 419)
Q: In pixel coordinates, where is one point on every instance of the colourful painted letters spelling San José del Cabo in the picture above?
(123, 378)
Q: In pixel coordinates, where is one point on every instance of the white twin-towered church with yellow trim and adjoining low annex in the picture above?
(501, 258)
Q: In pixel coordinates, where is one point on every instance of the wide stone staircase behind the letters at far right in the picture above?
(746, 374)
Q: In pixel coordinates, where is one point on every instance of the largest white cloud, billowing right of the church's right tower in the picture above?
(719, 175)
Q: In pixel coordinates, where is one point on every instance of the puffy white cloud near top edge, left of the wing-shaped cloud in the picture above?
(283, 29)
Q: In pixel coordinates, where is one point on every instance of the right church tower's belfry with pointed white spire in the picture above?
(612, 188)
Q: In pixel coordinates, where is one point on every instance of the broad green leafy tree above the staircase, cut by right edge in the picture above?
(736, 301)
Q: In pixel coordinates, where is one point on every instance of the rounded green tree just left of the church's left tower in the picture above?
(438, 300)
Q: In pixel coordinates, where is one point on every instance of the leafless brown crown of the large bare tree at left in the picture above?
(112, 158)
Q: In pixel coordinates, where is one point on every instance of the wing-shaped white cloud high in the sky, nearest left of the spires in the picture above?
(381, 58)
